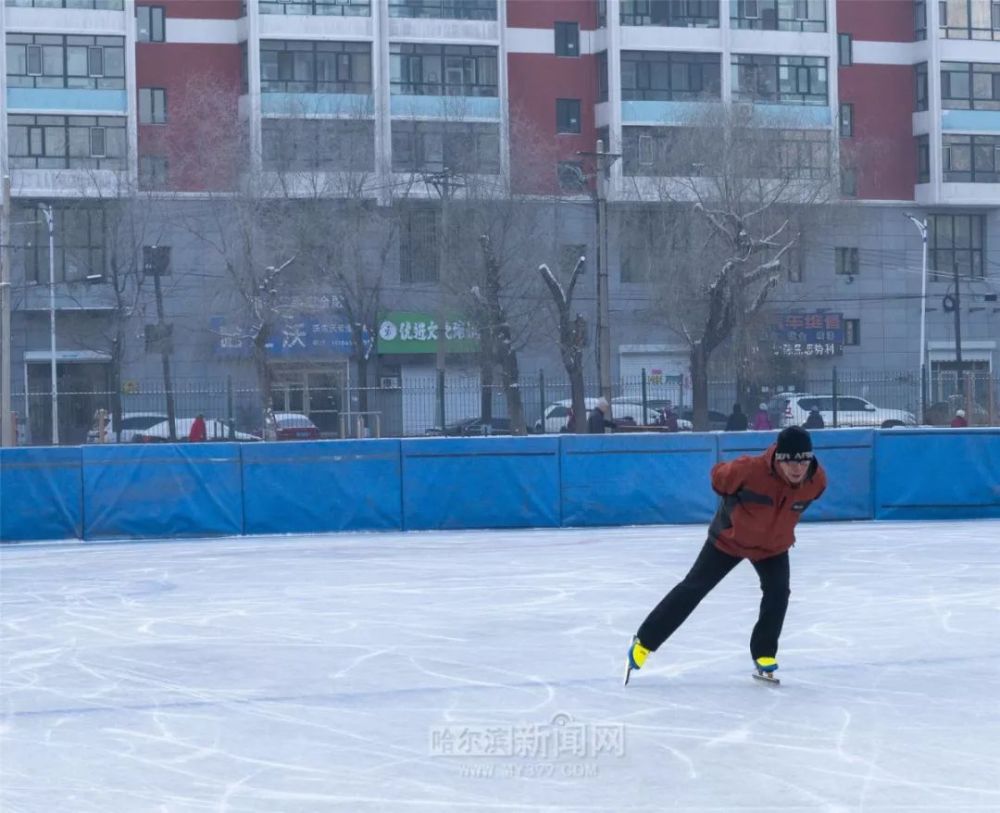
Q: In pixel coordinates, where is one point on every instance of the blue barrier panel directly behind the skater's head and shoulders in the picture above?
(846, 455)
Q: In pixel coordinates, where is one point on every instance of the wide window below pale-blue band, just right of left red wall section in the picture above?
(318, 145)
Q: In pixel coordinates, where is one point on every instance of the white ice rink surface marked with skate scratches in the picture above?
(481, 671)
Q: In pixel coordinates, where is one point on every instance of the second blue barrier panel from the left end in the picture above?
(163, 489)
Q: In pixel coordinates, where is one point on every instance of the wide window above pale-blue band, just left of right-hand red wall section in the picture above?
(780, 79)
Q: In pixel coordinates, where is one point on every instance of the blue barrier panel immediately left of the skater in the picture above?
(637, 479)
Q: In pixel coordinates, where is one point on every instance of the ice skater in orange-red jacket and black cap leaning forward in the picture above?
(762, 499)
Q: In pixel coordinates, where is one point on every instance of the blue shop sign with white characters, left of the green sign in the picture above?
(301, 336)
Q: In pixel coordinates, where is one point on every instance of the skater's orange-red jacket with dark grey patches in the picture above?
(759, 510)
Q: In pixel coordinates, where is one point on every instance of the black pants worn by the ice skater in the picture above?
(710, 568)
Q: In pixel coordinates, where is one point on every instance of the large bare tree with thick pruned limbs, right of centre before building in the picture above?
(730, 189)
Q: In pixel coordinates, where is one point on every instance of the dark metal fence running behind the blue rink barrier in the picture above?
(415, 407)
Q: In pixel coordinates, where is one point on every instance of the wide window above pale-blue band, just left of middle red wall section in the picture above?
(418, 69)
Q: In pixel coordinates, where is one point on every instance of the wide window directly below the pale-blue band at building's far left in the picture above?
(66, 142)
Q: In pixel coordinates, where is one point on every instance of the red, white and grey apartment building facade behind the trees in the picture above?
(410, 102)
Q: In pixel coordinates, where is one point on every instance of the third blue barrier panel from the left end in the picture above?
(326, 485)
